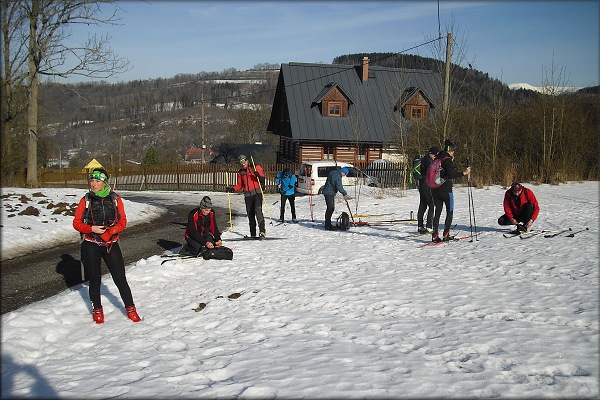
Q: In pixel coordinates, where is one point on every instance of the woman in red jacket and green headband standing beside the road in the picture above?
(100, 217)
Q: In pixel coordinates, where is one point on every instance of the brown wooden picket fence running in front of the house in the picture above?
(201, 177)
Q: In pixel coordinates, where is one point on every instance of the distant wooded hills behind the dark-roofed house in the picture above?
(99, 119)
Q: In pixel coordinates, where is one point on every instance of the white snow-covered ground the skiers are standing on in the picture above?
(366, 313)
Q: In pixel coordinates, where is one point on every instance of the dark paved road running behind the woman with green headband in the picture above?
(31, 278)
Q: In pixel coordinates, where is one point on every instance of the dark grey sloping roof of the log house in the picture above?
(373, 104)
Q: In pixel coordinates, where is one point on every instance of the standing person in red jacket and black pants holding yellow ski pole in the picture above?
(251, 181)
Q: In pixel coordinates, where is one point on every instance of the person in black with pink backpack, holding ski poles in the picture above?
(443, 195)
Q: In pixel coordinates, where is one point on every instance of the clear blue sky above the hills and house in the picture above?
(514, 41)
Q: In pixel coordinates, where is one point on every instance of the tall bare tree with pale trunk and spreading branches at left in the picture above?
(40, 29)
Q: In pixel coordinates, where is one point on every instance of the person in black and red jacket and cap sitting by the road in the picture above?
(201, 231)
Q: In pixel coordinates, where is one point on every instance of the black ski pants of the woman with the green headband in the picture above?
(92, 256)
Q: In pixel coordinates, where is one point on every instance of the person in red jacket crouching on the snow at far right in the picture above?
(520, 207)
